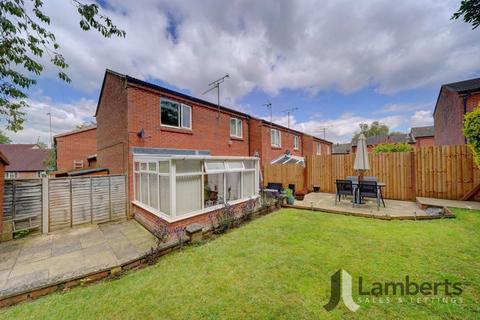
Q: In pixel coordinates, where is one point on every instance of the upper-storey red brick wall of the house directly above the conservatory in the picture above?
(209, 132)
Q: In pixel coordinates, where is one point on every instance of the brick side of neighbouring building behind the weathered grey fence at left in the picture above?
(76, 149)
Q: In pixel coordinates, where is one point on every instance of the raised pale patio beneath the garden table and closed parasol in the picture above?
(394, 209)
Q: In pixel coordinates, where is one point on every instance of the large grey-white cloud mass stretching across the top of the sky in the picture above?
(274, 45)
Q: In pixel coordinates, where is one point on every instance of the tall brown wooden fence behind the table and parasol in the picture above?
(446, 172)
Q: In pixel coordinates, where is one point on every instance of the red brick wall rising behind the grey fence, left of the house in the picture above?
(75, 147)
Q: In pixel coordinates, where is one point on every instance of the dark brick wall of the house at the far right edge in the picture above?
(448, 117)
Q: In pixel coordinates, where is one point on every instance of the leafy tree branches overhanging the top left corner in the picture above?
(24, 40)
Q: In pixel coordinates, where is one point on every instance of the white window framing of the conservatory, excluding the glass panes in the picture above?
(173, 216)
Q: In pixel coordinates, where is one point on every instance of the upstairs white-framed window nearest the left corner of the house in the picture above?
(175, 114)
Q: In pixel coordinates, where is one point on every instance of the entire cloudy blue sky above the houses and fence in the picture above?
(337, 63)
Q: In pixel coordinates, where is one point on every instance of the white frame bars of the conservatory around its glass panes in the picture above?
(144, 160)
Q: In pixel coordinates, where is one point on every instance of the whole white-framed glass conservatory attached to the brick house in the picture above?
(177, 187)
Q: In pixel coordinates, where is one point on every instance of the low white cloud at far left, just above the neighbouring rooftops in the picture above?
(65, 117)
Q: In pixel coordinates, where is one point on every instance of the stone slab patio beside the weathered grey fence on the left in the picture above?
(41, 260)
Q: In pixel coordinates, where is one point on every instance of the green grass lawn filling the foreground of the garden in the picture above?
(279, 266)
